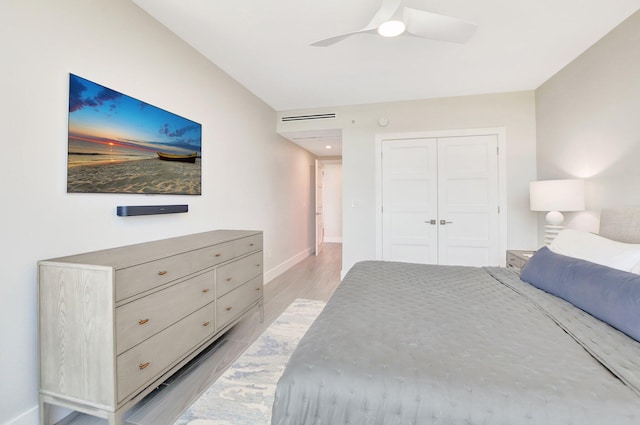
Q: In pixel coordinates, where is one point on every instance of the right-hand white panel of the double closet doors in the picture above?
(468, 200)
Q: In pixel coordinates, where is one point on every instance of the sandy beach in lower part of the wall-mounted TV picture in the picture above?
(140, 176)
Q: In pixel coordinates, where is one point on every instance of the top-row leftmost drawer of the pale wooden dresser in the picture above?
(140, 278)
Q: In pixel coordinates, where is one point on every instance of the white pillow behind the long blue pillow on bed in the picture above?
(596, 249)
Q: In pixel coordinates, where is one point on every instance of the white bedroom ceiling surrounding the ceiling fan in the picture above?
(264, 45)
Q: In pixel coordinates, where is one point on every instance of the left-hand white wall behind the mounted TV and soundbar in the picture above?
(252, 178)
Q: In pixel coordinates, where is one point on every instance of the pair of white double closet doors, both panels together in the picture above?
(440, 200)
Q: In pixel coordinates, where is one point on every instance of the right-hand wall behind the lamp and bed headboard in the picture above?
(588, 124)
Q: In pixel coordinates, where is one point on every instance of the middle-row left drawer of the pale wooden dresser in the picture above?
(142, 318)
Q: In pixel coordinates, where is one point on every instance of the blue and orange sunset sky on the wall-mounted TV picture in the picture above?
(102, 120)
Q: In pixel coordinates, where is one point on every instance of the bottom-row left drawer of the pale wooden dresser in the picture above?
(146, 361)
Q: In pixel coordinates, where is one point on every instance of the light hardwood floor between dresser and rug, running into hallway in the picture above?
(315, 278)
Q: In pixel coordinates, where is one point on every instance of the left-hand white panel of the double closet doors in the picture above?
(409, 200)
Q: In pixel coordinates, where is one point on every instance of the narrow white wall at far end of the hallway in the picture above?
(332, 196)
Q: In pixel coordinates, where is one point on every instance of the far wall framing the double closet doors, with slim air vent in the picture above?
(360, 125)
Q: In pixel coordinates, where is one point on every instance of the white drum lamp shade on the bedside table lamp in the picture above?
(557, 195)
